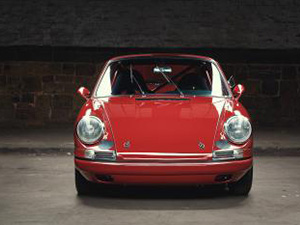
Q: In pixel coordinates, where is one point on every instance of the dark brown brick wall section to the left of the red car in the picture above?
(42, 93)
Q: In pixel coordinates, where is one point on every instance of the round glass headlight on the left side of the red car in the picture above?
(90, 129)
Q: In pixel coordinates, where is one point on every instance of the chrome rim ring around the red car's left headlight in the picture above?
(96, 138)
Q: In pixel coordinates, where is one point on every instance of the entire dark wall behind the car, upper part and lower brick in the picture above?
(50, 48)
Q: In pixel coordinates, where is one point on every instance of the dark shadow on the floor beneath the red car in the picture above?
(163, 197)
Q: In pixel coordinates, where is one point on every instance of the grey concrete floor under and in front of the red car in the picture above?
(40, 190)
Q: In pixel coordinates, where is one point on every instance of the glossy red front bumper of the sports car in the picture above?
(163, 172)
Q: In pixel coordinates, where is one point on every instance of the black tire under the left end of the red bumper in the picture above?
(83, 186)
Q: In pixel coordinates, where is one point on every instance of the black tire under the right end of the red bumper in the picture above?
(243, 186)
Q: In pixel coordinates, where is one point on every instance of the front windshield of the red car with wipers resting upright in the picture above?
(161, 76)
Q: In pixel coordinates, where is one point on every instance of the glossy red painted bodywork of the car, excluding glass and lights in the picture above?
(164, 136)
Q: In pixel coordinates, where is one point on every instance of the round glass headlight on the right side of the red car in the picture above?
(238, 129)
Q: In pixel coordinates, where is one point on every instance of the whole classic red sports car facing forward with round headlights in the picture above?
(163, 119)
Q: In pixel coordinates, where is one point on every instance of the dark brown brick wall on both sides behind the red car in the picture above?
(36, 93)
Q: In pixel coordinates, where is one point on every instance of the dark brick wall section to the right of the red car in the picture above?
(272, 92)
